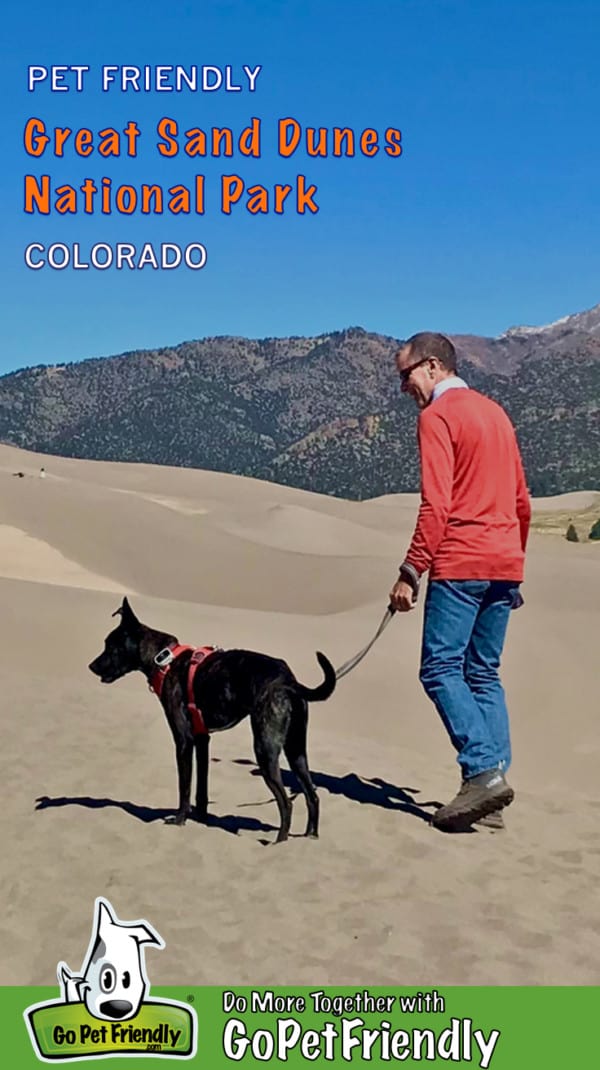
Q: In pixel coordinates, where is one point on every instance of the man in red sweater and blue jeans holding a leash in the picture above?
(471, 536)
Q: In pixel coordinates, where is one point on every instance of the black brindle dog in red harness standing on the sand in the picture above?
(229, 686)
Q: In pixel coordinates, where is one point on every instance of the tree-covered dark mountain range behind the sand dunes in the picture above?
(322, 414)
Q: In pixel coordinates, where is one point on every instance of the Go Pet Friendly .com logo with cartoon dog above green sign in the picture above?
(105, 1010)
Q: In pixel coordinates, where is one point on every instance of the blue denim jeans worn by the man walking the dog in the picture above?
(465, 630)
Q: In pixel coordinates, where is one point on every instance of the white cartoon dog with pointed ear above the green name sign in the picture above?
(113, 982)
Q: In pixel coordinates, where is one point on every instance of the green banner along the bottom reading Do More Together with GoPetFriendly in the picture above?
(506, 1029)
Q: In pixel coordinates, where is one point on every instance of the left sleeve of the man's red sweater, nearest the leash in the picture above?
(438, 472)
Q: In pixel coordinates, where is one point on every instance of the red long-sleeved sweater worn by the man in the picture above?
(474, 518)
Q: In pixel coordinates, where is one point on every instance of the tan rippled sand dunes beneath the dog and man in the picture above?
(88, 772)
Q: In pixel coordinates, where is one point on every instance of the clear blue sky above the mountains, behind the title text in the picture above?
(489, 219)
